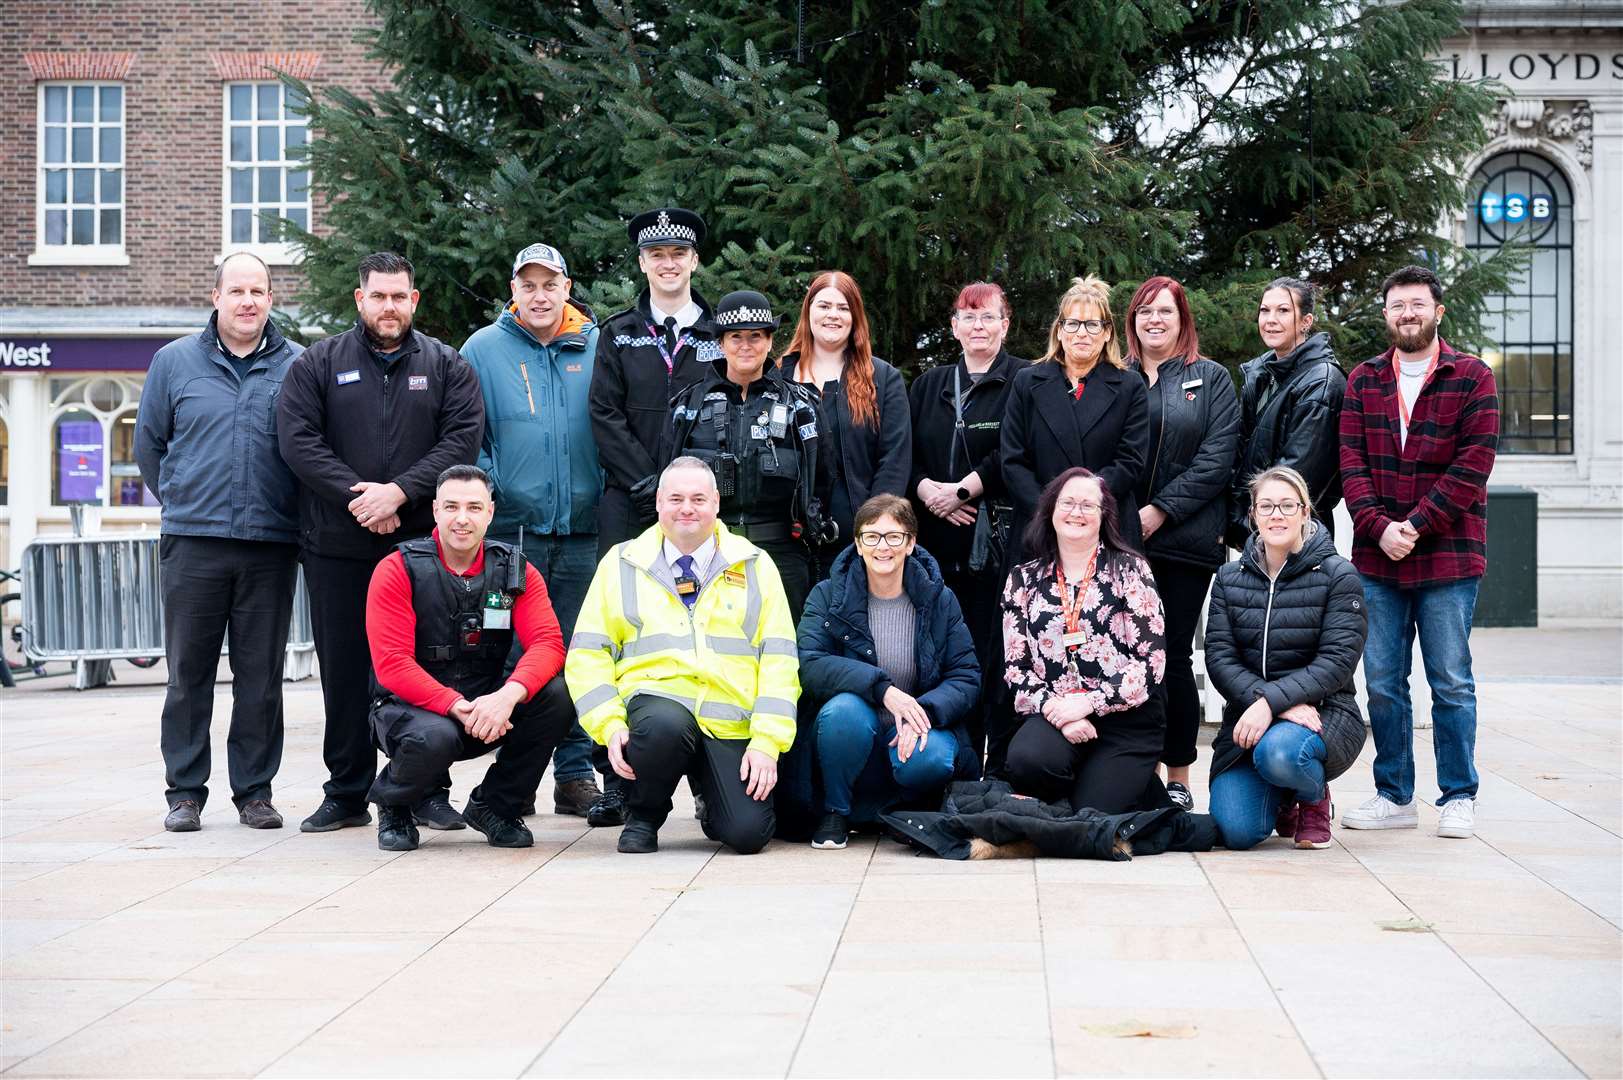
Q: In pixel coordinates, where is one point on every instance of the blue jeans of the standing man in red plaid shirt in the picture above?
(1442, 616)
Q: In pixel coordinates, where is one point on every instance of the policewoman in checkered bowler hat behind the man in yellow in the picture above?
(759, 433)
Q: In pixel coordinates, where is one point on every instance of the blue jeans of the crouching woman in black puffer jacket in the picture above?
(1286, 762)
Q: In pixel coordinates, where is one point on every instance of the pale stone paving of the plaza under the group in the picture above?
(132, 953)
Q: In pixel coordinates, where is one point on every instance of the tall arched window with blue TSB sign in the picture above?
(1525, 199)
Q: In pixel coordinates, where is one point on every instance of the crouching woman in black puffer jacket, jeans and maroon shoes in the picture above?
(1283, 637)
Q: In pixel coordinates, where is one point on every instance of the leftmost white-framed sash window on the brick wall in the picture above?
(80, 205)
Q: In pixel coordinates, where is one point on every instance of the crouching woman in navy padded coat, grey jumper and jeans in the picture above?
(885, 647)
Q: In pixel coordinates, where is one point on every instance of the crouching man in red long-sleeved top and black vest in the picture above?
(442, 615)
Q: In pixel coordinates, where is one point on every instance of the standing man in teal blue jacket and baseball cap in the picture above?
(535, 371)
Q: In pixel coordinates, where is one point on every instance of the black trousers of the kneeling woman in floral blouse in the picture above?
(1113, 774)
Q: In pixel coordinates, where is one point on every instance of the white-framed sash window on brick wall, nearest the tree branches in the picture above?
(265, 175)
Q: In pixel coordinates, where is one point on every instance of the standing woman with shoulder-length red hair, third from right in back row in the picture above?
(1182, 493)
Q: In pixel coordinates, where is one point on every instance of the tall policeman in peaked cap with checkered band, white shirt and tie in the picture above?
(645, 356)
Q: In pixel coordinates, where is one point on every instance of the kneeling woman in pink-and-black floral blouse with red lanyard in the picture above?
(1085, 646)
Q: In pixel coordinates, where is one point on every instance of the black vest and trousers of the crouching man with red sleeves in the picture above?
(460, 647)
